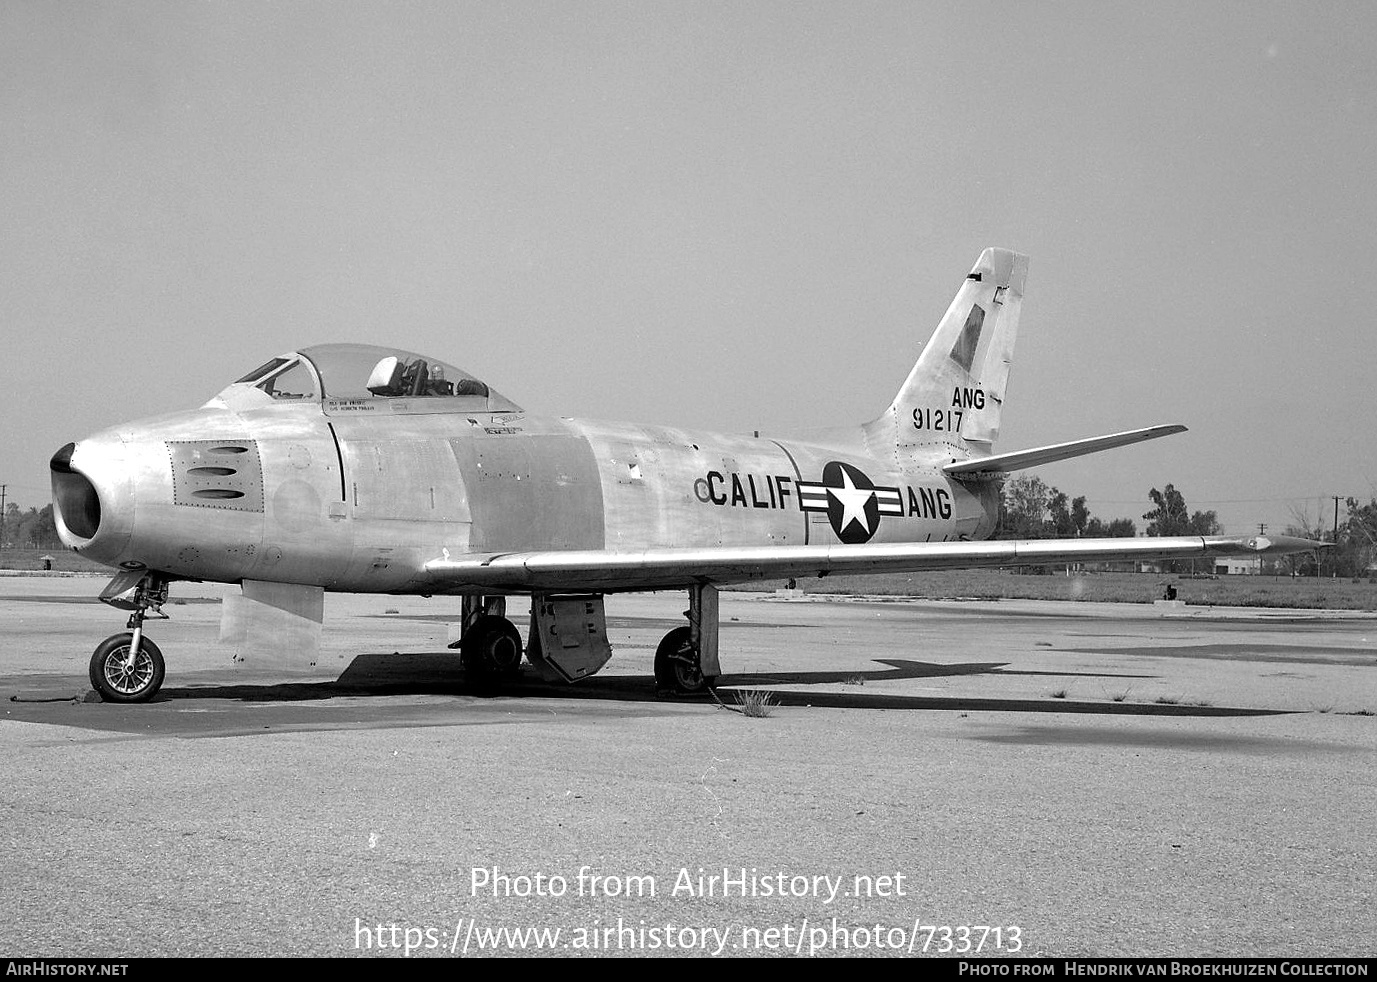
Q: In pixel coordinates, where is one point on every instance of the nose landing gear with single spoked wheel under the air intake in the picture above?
(129, 667)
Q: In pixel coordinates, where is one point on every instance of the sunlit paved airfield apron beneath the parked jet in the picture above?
(1108, 779)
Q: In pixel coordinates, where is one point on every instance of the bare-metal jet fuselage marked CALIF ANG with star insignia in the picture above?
(359, 501)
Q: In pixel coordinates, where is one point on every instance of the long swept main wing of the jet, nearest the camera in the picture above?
(598, 571)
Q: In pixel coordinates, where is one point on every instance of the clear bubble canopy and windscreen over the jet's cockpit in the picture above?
(339, 374)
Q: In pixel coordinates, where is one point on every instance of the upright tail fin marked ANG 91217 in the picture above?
(954, 397)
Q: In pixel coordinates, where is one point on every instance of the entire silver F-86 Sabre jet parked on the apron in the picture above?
(372, 470)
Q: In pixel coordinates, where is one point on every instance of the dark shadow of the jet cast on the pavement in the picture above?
(437, 674)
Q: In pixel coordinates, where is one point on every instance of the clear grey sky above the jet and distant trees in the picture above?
(730, 217)
